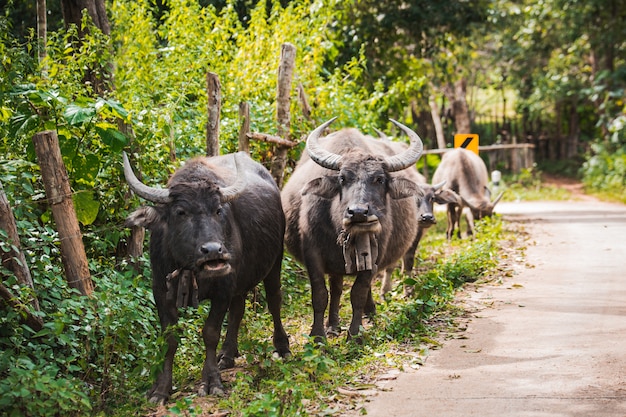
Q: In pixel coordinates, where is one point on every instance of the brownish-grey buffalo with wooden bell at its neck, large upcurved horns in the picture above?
(348, 212)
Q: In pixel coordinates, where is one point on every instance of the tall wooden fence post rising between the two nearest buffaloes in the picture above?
(285, 74)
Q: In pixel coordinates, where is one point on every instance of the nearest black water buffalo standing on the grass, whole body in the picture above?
(217, 231)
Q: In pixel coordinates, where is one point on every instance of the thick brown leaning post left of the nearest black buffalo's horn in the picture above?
(59, 197)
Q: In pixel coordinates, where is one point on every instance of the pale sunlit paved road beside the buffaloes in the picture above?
(552, 342)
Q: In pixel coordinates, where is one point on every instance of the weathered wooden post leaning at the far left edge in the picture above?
(14, 260)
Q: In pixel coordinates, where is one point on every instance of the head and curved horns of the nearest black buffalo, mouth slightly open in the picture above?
(193, 215)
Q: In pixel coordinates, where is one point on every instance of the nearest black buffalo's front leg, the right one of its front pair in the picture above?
(211, 380)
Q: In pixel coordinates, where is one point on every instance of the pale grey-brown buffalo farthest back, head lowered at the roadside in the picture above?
(466, 174)
